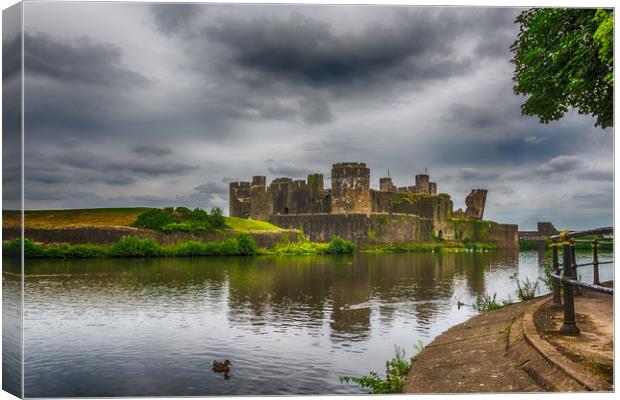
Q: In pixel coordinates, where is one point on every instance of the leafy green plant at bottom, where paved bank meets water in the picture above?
(396, 370)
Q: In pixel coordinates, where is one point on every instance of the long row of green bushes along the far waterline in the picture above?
(241, 244)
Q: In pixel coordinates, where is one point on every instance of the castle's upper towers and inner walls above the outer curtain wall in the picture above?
(350, 193)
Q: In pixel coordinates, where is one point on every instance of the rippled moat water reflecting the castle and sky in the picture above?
(289, 325)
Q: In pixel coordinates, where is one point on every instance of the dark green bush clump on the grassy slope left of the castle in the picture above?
(181, 219)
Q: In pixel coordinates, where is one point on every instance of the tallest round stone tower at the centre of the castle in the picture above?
(350, 188)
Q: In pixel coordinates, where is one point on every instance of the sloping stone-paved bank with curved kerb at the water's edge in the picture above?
(492, 352)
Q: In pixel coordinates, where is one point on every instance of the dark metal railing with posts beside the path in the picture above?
(566, 277)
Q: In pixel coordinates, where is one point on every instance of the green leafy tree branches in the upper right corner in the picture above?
(564, 58)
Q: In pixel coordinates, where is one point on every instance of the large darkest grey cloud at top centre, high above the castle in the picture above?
(307, 51)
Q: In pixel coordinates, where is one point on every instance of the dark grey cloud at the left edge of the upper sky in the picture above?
(79, 60)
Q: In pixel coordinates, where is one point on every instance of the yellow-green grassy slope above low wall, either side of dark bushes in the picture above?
(105, 218)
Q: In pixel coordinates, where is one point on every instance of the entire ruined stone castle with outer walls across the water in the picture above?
(351, 208)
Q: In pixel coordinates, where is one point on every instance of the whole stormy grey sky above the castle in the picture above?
(155, 104)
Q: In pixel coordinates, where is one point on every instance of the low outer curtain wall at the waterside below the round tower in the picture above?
(360, 228)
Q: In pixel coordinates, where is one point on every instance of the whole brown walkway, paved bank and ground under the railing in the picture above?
(503, 351)
